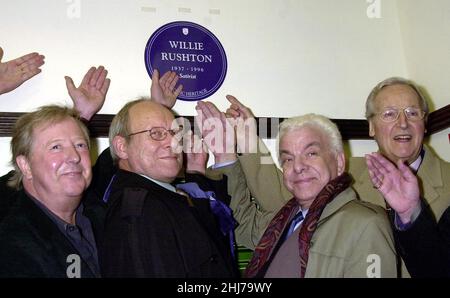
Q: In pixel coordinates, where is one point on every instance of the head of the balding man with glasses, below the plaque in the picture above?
(140, 139)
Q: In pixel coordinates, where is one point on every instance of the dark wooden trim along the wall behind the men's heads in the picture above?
(350, 128)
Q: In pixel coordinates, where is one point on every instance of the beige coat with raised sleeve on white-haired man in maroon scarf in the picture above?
(349, 230)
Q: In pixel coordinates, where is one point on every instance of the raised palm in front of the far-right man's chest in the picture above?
(398, 185)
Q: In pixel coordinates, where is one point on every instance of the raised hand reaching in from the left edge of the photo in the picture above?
(15, 72)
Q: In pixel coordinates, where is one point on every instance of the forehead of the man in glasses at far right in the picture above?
(399, 95)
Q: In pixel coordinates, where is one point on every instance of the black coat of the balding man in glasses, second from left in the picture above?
(153, 232)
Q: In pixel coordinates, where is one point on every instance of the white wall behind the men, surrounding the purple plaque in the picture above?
(285, 57)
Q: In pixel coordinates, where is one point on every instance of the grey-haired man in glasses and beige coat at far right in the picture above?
(397, 114)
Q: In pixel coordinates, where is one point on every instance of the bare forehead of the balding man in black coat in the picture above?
(148, 114)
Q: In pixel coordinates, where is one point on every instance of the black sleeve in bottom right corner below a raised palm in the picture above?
(425, 246)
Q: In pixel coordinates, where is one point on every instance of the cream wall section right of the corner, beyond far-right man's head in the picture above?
(425, 31)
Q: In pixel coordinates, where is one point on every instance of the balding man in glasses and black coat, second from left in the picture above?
(151, 229)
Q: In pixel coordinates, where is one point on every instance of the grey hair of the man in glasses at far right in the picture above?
(370, 102)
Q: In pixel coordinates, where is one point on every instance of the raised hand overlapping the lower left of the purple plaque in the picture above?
(163, 89)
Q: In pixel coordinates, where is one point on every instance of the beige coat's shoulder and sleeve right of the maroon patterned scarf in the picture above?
(353, 239)
